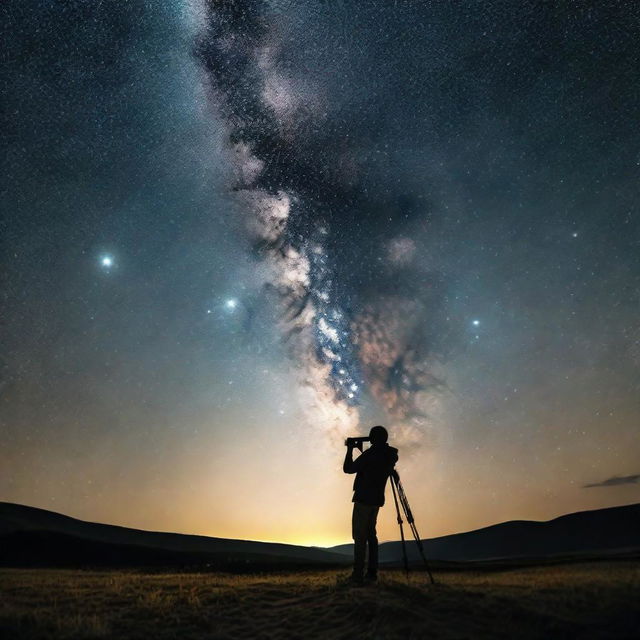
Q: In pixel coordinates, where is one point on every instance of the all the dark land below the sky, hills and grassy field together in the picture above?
(577, 576)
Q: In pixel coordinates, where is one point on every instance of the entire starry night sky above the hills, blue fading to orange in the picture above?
(235, 232)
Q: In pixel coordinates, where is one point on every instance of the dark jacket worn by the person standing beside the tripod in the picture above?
(372, 468)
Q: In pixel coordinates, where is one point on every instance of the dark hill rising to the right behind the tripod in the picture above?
(615, 529)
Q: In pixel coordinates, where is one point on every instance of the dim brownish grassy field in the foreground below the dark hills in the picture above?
(591, 600)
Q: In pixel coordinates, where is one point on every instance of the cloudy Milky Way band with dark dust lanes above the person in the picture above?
(359, 316)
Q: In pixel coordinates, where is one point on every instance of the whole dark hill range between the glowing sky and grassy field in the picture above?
(36, 537)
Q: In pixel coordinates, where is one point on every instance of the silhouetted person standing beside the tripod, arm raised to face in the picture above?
(372, 468)
